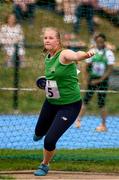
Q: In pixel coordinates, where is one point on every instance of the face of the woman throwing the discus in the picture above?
(51, 42)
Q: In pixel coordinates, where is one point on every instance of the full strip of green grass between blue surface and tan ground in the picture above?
(90, 160)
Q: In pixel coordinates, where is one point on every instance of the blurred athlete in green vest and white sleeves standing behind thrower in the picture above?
(97, 72)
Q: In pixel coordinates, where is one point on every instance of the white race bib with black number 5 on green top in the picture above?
(51, 89)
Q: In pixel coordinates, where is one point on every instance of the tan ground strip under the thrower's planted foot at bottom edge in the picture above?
(62, 175)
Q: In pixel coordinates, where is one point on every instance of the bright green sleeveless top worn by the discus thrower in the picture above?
(62, 82)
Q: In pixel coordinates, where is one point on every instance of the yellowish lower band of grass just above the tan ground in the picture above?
(83, 166)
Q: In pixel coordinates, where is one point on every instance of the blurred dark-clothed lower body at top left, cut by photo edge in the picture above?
(24, 10)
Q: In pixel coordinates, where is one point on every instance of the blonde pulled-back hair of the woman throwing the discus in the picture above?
(58, 36)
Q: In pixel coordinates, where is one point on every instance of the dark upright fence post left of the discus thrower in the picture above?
(16, 79)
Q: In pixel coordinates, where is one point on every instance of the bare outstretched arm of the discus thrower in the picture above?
(69, 55)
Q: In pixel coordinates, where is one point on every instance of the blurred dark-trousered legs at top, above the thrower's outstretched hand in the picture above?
(85, 9)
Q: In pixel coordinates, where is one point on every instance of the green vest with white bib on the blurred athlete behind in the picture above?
(99, 64)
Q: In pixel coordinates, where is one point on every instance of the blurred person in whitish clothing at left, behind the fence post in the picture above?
(11, 33)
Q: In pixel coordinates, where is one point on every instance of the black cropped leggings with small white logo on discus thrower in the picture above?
(54, 120)
